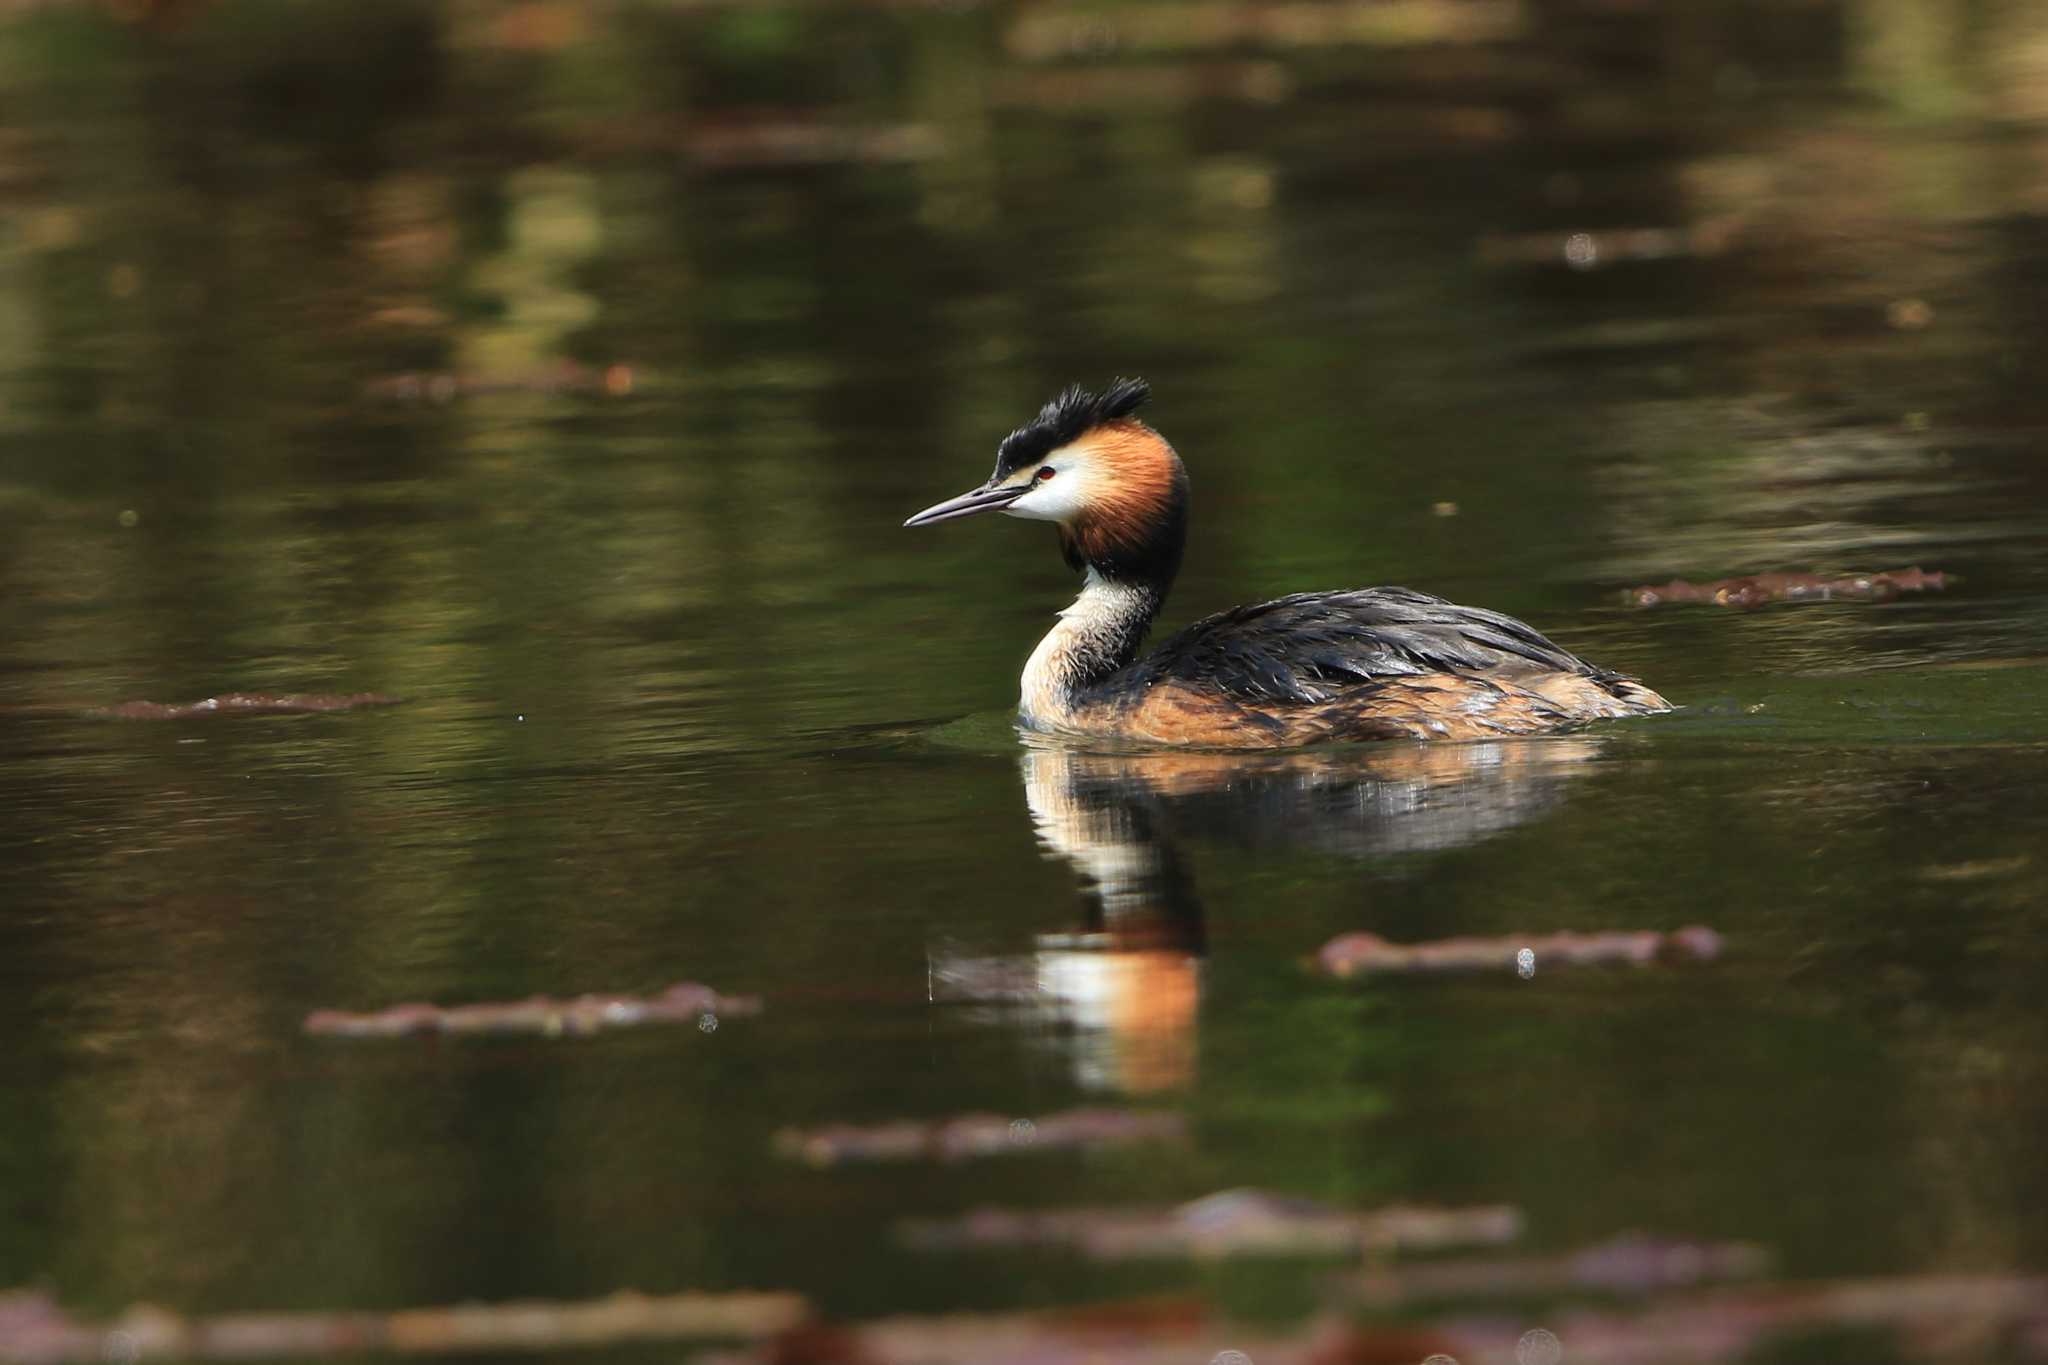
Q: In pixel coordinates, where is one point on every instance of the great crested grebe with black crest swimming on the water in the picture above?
(1367, 664)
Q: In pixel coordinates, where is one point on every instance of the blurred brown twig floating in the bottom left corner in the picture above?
(34, 1331)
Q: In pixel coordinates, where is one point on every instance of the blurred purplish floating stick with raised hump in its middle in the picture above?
(1236, 1223)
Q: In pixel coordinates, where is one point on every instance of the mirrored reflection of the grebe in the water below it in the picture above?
(1129, 983)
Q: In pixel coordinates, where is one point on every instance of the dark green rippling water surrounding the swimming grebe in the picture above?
(687, 705)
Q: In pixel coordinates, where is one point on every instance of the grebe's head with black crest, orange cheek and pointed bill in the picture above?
(1115, 488)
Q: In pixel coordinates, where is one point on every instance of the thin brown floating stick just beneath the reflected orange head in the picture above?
(978, 1135)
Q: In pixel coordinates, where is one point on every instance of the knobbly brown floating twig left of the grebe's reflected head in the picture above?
(587, 1014)
